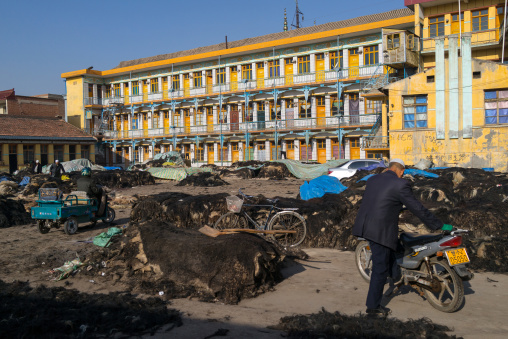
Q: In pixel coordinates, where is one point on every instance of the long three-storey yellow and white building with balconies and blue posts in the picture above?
(306, 94)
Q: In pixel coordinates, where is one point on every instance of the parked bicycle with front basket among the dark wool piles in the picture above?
(278, 219)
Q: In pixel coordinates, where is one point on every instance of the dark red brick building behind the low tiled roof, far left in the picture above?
(45, 105)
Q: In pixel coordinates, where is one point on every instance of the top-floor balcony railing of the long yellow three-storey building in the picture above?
(351, 73)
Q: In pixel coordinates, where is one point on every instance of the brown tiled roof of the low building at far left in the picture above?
(35, 128)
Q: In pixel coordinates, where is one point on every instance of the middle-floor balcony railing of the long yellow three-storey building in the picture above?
(282, 126)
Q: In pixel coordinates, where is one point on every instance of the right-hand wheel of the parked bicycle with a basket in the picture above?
(288, 221)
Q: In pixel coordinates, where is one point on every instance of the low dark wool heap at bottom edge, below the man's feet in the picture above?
(335, 325)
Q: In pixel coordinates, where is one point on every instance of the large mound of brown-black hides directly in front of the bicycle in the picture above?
(156, 256)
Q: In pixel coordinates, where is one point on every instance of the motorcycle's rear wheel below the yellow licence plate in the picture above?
(451, 296)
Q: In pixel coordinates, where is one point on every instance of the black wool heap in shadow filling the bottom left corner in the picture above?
(66, 313)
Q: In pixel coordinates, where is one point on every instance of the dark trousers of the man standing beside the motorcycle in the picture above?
(383, 261)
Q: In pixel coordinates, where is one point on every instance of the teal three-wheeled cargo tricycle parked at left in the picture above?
(53, 210)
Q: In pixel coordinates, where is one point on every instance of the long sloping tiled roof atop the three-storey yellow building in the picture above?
(403, 12)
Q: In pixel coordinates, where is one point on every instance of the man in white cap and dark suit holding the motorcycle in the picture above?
(378, 220)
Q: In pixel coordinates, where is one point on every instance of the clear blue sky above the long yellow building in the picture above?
(43, 39)
